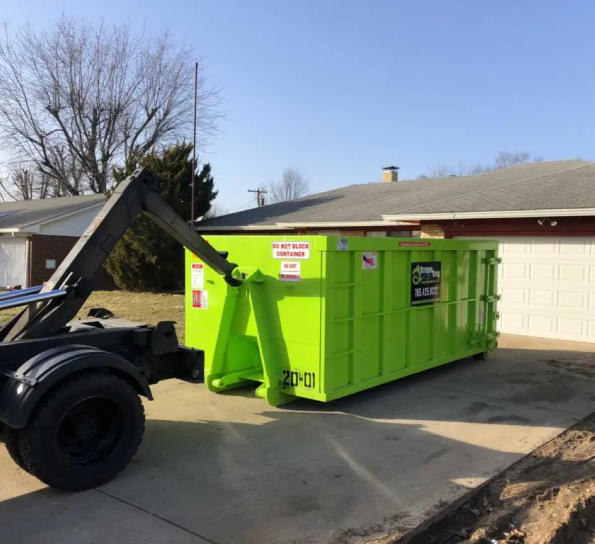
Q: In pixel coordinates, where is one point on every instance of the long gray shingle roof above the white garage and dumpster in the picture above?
(536, 186)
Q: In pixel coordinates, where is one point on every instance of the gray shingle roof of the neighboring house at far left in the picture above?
(16, 215)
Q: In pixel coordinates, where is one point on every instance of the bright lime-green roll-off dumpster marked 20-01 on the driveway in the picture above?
(323, 317)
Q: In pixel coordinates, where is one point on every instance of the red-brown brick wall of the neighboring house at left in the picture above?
(55, 248)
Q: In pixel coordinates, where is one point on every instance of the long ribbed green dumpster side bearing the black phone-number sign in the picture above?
(375, 330)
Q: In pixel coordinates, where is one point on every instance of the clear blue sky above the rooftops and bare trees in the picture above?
(340, 88)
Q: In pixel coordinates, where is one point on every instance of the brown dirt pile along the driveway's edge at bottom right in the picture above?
(547, 497)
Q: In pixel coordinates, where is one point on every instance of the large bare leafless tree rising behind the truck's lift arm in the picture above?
(78, 99)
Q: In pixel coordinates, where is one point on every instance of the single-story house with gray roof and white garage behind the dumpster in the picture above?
(543, 215)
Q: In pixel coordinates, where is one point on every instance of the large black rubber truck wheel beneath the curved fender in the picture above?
(84, 432)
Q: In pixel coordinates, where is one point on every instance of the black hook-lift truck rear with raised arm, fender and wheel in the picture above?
(70, 411)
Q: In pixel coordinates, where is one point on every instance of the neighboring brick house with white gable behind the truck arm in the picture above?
(36, 235)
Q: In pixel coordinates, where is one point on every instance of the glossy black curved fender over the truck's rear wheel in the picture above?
(33, 379)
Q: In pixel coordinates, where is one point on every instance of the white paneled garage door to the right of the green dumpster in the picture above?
(547, 286)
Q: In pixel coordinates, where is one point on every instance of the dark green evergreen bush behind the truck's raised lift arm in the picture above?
(147, 259)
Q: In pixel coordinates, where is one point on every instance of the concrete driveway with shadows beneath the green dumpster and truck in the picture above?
(229, 469)
